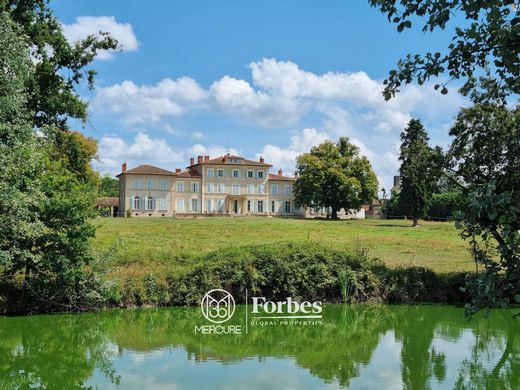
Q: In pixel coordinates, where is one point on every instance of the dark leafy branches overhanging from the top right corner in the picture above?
(492, 36)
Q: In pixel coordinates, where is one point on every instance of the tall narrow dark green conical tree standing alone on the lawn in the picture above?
(420, 169)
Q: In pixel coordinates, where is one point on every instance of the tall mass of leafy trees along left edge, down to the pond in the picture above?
(47, 187)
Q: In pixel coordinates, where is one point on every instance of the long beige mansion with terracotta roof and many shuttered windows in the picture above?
(227, 185)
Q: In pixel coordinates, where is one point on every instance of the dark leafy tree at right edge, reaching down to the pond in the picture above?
(485, 158)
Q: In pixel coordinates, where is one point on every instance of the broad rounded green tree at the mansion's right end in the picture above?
(336, 176)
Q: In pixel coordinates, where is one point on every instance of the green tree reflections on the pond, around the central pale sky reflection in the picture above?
(65, 351)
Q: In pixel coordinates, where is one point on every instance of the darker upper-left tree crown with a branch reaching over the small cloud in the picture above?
(59, 67)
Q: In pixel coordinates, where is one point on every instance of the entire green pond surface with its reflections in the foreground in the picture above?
(360, 347)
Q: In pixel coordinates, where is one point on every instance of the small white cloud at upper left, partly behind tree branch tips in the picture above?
(93, 25)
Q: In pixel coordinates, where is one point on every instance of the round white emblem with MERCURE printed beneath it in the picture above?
(218, 306)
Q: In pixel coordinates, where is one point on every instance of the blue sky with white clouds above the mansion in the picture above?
(255, 78)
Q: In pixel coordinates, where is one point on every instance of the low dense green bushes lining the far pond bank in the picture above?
(305, 271)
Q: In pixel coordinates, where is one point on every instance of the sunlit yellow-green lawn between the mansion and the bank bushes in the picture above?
(147, 241)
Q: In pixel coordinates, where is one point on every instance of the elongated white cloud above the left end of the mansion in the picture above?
(139, 104)
